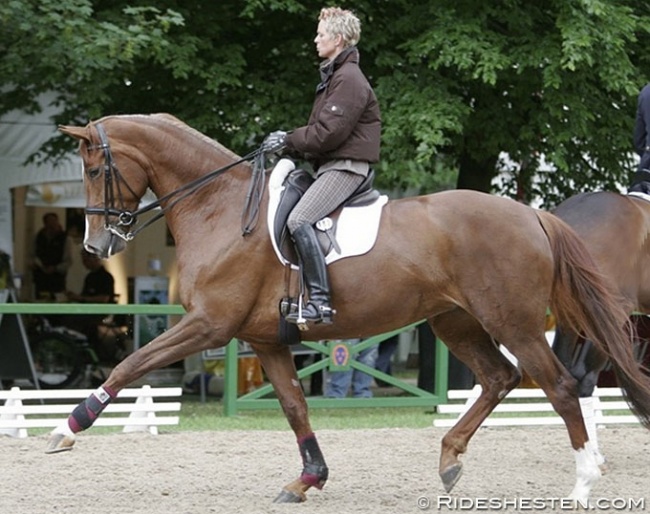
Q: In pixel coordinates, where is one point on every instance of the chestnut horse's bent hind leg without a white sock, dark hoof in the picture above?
(470, 343)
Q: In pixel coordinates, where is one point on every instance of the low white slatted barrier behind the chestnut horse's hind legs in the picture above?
(522, 407)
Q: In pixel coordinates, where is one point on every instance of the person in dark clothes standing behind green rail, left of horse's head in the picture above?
(51, 259)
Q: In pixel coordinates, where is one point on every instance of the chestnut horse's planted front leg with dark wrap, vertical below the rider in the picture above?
(278, 364)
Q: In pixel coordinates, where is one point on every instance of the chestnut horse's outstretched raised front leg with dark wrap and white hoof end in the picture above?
(190, 335)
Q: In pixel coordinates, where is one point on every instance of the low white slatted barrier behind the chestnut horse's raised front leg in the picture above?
(27, 408)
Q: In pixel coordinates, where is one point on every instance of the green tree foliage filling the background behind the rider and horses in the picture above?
(461, 83)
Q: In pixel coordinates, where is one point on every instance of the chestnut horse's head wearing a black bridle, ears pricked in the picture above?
(111, 200)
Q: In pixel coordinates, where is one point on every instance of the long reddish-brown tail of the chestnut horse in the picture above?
(585, 300)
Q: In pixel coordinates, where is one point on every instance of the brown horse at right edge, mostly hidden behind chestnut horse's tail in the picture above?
(616, 230)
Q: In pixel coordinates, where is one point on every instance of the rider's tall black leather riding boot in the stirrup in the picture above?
(311, 256)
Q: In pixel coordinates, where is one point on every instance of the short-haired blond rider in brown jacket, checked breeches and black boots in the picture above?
(341, 140)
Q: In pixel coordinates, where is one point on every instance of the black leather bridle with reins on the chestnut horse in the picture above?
(122, 222)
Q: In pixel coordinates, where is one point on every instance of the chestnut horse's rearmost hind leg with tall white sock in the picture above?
(537, 358)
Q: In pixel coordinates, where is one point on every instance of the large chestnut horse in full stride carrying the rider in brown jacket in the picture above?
(480, 269)
